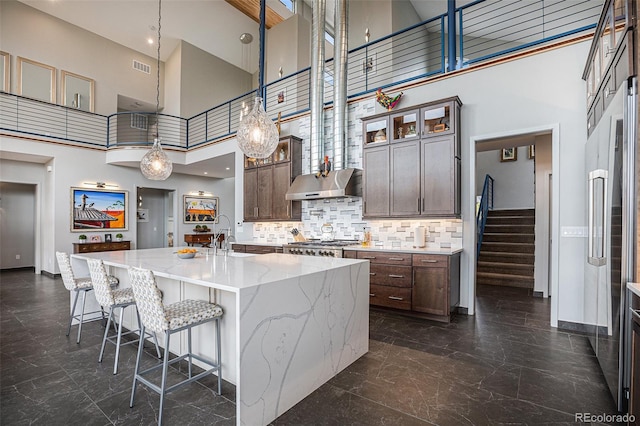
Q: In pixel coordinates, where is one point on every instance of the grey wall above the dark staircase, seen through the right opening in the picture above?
(513, 180)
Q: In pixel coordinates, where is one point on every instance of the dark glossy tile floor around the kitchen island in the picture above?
(503, 366)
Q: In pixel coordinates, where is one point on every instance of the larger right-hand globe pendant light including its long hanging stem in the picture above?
(257, 135)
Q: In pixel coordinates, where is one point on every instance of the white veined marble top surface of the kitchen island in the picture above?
(229, 272)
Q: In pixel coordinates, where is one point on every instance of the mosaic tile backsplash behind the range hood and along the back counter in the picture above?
(345, 214)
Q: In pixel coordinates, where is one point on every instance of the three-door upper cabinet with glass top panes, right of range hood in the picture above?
(415, 170)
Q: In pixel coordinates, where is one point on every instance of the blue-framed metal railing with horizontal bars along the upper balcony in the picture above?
(486, 29)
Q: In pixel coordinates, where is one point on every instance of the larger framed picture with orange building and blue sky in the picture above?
(98, 209)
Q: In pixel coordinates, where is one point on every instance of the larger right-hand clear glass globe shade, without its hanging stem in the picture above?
(257, 135)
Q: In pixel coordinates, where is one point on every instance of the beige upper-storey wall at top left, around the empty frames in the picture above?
(73, 49)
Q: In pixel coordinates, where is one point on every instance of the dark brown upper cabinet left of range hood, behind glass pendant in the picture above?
(266, 182)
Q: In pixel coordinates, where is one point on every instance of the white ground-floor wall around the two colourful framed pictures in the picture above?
(71, 167)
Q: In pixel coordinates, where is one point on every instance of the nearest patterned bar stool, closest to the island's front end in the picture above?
(183, 315)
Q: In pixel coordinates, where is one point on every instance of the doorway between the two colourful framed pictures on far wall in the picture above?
(154, 217)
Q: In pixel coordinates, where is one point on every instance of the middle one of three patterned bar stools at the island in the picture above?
(112, 299)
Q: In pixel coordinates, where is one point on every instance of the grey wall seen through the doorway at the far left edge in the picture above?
(17, 225)
